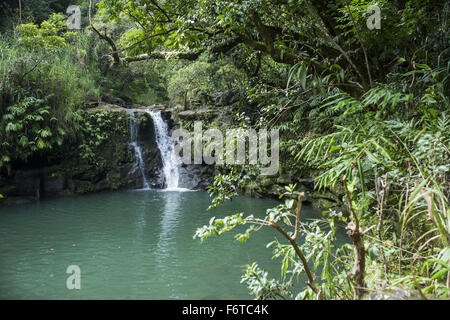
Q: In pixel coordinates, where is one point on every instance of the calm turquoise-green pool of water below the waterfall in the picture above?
(128, 245)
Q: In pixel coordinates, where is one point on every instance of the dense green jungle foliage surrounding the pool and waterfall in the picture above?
(365, 111)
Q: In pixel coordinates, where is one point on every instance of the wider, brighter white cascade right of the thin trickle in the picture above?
(167, 148)
